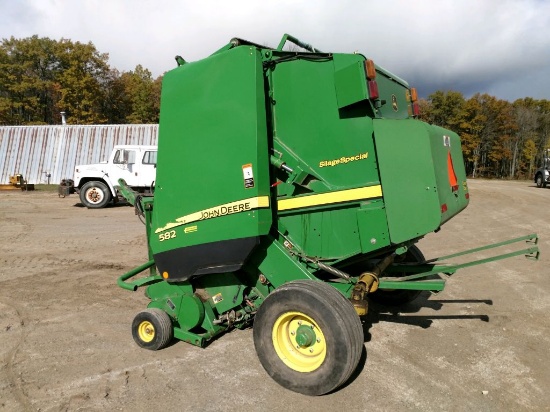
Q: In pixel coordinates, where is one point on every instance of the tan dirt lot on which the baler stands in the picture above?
(481, 345)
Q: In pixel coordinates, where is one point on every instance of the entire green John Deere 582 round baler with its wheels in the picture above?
(291, 188)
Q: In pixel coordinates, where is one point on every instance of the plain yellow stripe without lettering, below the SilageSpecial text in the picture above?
(329, 198)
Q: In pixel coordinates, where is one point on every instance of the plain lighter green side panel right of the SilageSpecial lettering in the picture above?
(408, 178)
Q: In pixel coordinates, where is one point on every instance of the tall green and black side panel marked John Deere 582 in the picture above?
(212, 188)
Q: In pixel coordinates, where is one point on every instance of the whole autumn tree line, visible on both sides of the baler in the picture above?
(40, 77)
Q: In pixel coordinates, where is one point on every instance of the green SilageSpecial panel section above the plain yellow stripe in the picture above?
(332, 145)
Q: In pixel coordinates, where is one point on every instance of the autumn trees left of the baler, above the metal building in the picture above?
(40, 77)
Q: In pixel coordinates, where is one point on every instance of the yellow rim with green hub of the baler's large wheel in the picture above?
(299, 342)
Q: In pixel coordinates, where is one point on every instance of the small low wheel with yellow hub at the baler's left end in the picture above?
(161, 333)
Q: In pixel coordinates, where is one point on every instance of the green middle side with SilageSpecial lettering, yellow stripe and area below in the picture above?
(333, 145)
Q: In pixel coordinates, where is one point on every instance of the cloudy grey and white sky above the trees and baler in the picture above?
(499, 47)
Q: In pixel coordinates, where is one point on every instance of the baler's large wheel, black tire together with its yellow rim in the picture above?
(308, 337)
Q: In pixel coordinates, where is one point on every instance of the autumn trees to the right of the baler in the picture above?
(499, 138)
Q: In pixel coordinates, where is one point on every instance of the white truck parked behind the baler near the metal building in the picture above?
(97, 183)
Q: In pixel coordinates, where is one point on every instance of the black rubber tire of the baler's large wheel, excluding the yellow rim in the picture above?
(337, 320)
